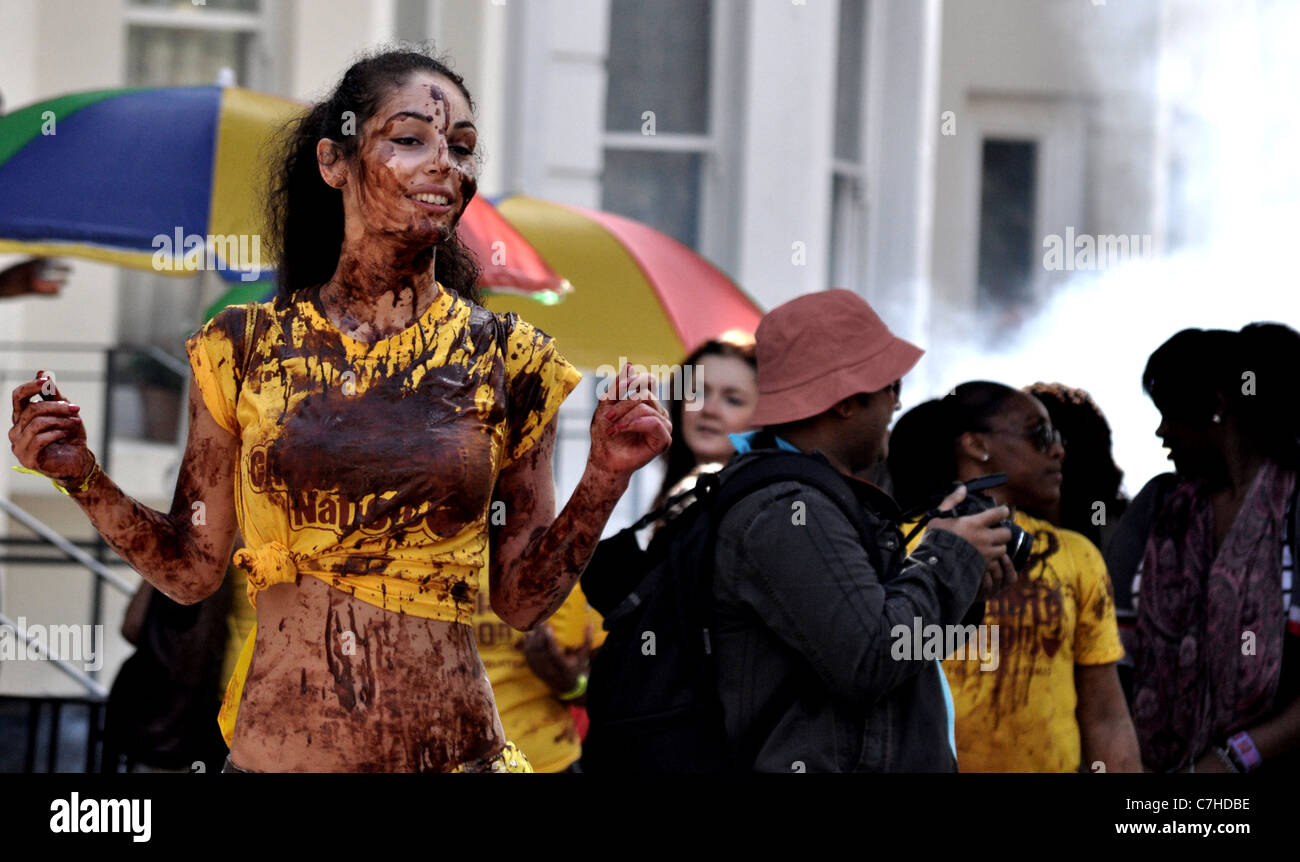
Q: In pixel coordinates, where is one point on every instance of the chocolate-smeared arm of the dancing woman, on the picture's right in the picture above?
(536, 556)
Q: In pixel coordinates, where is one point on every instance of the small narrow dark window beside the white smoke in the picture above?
(1007, 248)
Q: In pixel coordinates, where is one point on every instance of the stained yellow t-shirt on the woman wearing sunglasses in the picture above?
(1021, 717)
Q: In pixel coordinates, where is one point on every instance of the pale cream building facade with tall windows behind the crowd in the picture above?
(799, 145)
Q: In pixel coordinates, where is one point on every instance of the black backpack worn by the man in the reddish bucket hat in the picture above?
(653, 695)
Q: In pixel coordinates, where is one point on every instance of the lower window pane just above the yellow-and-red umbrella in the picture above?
(660, 189)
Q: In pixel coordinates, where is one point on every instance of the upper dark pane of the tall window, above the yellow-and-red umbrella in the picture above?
(658, 62)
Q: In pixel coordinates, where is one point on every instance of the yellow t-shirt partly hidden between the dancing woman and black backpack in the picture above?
(531, 716)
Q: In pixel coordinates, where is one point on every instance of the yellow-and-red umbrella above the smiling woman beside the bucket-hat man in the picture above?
(638, 293)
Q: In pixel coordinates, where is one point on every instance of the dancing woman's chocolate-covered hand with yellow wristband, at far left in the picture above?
(49, 435)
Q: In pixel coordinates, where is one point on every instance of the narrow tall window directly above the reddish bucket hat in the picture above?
(848, 175)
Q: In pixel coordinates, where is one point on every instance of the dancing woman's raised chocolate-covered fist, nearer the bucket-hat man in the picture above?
(630, 427)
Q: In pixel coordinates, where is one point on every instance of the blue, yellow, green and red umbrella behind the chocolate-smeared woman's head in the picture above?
(162, 179)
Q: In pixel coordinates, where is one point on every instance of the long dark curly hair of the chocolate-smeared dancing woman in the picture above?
(305, 215)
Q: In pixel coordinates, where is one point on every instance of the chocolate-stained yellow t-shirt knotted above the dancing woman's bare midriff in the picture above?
(372, 467)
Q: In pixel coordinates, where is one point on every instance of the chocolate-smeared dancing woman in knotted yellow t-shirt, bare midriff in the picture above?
(378, 438)
